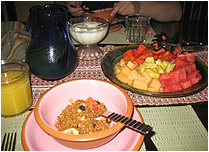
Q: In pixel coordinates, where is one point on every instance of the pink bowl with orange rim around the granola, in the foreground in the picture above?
(53, 101)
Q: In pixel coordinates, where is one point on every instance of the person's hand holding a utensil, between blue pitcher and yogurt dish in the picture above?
(74, 7)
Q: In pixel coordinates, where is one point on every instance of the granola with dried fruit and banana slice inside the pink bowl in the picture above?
(79, 117)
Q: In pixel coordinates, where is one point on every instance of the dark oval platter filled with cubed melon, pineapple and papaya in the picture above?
(158, 73)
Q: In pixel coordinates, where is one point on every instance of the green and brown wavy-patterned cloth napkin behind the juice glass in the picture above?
(14, 40)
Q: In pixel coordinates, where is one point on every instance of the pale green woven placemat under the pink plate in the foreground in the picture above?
(176, 128)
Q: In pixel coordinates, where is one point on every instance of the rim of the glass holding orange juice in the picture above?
(21, 63)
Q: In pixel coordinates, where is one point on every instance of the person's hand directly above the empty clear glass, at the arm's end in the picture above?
(125, 8)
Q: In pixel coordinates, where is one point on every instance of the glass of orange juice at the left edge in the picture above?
(16, 95)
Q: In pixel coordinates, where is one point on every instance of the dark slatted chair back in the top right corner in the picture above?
(194, 23)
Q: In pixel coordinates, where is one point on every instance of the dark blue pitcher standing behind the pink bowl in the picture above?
(51, 55)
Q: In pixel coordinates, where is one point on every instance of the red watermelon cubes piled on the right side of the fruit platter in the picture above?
(183, 76)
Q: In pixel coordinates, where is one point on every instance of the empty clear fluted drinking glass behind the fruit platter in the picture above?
(137, 27)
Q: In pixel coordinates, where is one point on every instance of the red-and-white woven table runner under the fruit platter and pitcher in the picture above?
(92, 69)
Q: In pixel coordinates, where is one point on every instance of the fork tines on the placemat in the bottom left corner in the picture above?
(9, 141)
